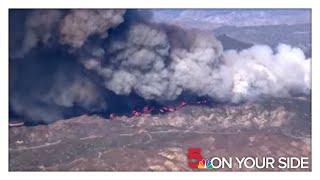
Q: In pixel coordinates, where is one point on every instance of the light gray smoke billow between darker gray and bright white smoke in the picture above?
(196, 69)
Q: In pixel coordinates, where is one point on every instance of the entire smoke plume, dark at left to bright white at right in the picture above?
(122, 54)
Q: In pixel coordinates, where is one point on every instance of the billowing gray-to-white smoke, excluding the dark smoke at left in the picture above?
(146, 63)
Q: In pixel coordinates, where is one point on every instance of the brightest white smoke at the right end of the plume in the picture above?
(259, 71)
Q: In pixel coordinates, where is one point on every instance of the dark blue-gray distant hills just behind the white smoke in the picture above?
(298, 35)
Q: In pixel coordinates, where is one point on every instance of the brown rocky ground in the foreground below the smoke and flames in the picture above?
(159, 142)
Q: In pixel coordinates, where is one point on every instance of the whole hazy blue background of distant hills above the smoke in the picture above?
(239, 28)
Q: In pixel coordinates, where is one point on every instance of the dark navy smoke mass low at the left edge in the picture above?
(41, 89)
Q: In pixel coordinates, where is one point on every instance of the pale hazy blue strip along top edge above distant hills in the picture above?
(211, 18)
